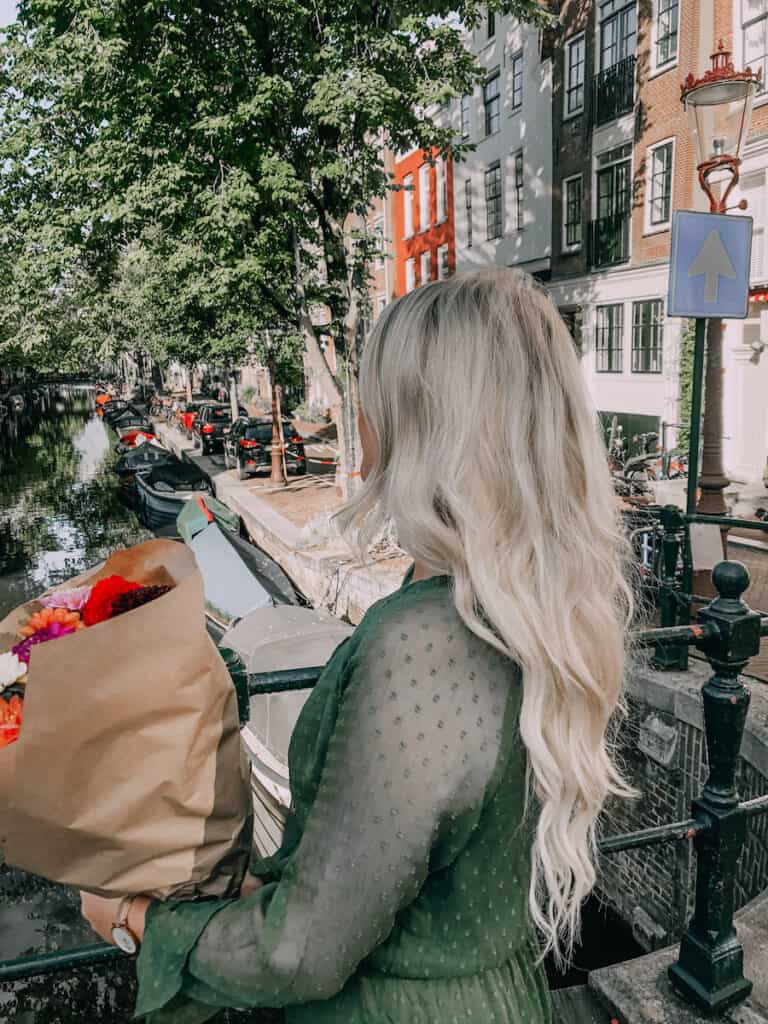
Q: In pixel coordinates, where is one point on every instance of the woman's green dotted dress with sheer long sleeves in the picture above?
(400, 892)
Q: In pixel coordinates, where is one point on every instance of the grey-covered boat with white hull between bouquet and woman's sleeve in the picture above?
(268, 641)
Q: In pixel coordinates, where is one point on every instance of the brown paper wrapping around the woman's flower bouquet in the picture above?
(129, 776)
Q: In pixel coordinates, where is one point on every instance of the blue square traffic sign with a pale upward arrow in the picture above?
(710, 266)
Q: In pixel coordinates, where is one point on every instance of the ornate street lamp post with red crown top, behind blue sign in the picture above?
(719, 108)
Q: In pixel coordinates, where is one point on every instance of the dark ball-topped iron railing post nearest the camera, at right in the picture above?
(709, 971)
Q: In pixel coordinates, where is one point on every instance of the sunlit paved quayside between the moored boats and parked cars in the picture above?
(290, 524)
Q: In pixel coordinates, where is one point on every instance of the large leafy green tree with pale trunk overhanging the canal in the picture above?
(235, 141)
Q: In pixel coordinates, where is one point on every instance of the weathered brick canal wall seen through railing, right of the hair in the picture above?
(661, 879)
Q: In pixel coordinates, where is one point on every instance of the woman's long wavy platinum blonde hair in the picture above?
(492, 468)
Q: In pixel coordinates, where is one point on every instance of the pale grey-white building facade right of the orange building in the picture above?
(502, 192)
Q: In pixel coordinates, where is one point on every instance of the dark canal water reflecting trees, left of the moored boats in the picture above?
(60, 516)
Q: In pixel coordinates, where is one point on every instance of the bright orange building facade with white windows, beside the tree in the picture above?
(424, 236)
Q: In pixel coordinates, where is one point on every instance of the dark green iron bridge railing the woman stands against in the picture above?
(709, 971)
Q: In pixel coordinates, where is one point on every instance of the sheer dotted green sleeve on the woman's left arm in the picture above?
(415, 745)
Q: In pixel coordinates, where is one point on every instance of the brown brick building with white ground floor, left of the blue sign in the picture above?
(624, 160)
